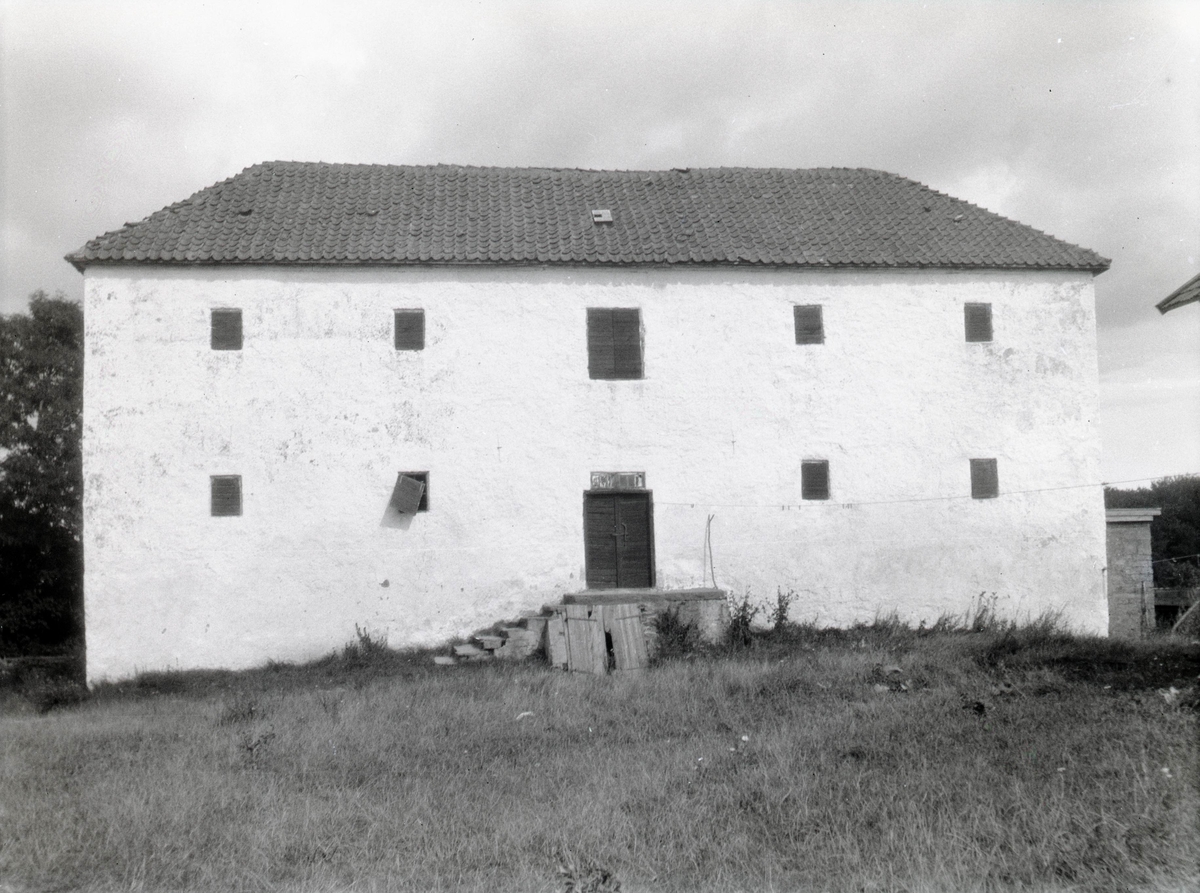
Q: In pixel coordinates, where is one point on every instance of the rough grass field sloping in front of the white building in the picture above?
(877, 759)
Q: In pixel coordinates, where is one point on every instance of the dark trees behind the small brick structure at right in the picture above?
(1175, 535)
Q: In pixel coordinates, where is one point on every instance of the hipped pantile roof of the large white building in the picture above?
(297, 213)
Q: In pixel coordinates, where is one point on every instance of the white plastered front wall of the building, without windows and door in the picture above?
(319, 413)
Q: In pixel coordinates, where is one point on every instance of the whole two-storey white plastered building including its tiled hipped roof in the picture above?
(838, 383)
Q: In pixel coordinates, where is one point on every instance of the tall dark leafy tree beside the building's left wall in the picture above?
(41, 477)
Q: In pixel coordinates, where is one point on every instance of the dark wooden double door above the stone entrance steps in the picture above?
(619, 541)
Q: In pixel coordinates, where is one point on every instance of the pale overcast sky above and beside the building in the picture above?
(1082, 119)
